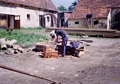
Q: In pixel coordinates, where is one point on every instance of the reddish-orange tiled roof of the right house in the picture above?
(98, 8)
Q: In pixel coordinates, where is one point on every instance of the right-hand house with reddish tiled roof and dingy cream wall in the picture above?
(103, 14)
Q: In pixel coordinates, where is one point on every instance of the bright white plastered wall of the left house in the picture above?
(33, 20)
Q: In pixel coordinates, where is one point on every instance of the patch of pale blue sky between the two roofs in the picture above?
(65, 3)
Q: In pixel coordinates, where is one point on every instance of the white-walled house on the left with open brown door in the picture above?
(27, 13)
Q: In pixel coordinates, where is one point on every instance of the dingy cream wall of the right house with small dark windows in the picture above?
(81, 23)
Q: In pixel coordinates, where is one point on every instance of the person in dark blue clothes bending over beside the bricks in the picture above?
(55, 39)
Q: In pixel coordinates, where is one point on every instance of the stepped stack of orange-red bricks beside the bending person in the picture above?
(49, 53)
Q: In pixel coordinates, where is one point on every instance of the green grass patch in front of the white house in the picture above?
(27, 39)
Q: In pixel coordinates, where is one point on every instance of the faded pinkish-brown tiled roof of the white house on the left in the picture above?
(44, 4)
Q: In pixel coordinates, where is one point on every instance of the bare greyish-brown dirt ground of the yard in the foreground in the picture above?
(100, 64)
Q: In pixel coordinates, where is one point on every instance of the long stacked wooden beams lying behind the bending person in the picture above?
(89, 32)
